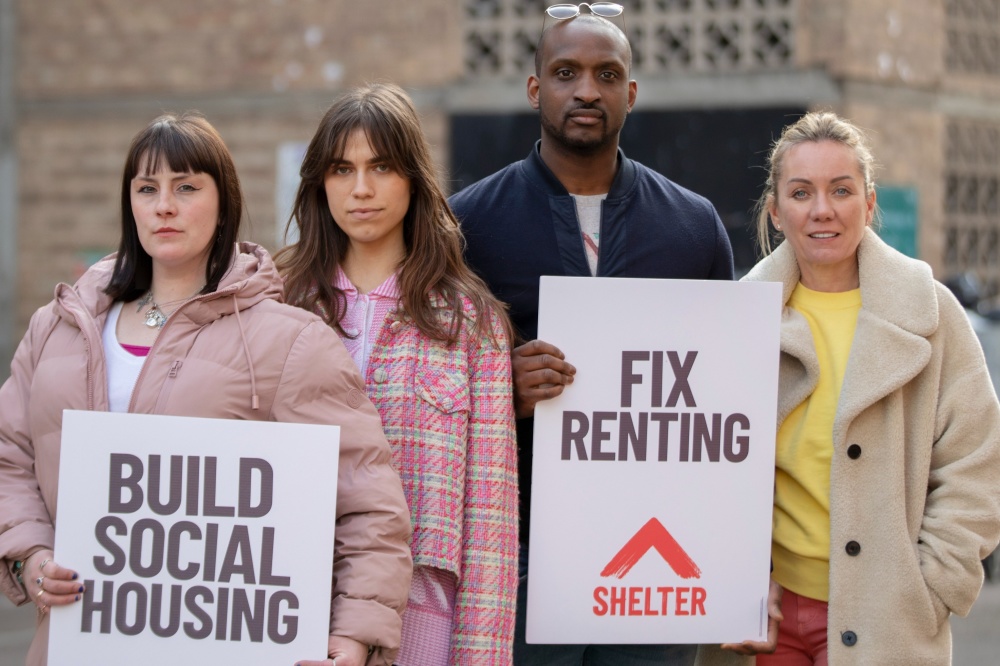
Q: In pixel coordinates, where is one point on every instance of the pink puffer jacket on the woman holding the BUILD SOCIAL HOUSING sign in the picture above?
(272, 362)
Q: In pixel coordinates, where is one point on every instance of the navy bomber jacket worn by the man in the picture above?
(520, 223)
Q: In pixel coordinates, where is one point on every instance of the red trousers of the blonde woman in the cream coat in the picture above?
(801, 635)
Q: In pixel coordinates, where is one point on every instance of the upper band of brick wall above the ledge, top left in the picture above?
(90, 48)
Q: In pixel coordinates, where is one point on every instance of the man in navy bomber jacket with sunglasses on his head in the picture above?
(522, 222)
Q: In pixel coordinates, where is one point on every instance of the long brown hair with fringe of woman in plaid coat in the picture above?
(433, 263)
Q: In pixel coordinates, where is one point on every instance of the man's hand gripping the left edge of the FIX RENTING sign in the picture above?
(540, 373)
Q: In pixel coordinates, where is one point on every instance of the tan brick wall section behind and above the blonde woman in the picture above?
(889, 58)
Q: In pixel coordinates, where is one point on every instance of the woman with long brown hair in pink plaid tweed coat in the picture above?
(380, 259)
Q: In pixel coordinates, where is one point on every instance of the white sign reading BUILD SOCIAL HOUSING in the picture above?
(199, 540)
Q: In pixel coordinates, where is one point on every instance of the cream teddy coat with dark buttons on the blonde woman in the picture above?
(915, 475)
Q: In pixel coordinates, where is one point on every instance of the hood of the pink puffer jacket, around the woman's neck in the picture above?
(252, 277)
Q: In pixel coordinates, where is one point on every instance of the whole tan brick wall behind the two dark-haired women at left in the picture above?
(93, 72)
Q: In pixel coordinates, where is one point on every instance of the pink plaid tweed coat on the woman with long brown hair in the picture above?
(448, 415)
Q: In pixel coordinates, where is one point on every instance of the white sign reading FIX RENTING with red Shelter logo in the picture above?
(653, 473)
